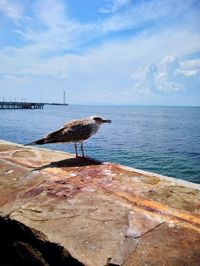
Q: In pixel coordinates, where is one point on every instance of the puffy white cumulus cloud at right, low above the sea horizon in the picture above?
(173, 76)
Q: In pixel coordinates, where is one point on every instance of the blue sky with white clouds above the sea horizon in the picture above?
(126, 52)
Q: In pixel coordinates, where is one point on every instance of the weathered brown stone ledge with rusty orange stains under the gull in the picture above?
(89, 213)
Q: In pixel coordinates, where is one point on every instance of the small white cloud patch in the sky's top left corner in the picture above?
(11, 9)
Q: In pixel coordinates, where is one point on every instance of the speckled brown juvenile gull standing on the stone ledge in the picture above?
(74, 131)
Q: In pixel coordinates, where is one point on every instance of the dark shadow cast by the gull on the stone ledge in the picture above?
(71, 162)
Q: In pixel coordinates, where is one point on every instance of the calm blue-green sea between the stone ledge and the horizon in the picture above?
(164, 140)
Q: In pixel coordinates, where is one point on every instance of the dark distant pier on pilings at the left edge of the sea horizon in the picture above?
(21, 105)
